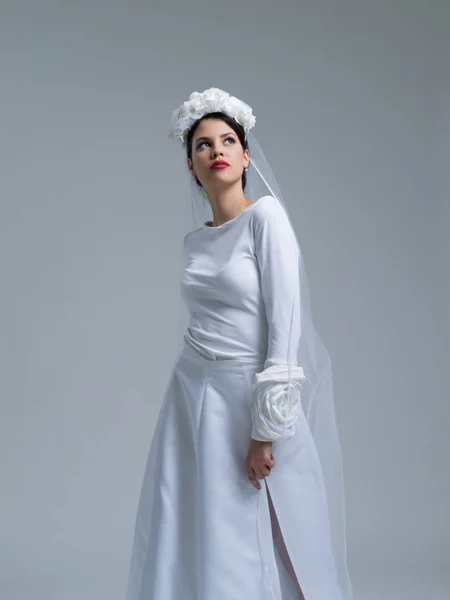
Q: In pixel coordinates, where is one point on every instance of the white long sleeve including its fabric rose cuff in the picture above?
(274, 397)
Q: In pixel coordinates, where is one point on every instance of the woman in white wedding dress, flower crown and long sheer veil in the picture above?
(242, 496)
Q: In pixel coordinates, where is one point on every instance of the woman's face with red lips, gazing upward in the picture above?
(215, 140)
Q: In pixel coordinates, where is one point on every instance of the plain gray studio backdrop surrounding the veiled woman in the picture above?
(349, 98)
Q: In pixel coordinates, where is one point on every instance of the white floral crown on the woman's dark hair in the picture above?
(200, 104)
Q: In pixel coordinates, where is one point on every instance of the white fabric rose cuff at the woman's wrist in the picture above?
(274, 401)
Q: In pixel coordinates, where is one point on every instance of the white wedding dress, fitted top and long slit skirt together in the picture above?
(203, 531)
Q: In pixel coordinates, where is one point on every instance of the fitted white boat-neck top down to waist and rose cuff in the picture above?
(240, 283)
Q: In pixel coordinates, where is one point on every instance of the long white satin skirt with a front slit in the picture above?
(203, 531)
